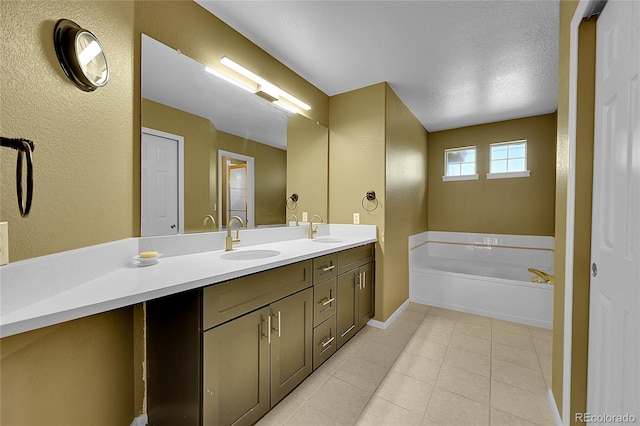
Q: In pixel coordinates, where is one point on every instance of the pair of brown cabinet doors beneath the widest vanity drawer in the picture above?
(252, 362)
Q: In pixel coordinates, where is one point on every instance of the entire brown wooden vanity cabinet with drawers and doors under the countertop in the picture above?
(227, 353)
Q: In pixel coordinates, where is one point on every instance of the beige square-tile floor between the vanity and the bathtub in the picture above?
(432, 366)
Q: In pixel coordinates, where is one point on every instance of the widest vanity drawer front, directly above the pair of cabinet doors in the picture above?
(228, 300)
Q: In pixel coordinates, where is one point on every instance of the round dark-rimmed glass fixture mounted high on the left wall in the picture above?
(81, 55)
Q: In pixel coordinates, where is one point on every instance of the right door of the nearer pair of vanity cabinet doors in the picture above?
(291, 343)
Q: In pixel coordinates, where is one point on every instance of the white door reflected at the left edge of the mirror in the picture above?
(159, 185)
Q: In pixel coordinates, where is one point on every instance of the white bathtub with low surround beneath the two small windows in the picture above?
(484, 274)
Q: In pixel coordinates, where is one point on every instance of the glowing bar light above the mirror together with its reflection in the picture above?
(259, 86)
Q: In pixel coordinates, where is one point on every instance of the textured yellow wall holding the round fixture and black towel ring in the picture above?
(83, 141)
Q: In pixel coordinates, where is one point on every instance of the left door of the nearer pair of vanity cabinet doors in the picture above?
(236, 371)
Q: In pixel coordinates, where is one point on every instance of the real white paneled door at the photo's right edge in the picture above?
(614, 324)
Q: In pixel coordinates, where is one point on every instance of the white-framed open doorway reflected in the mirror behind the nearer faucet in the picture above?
(235, 188)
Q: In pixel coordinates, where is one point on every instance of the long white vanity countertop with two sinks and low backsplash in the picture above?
(128, 284)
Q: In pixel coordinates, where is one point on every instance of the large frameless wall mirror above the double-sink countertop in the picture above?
(211, 150)
